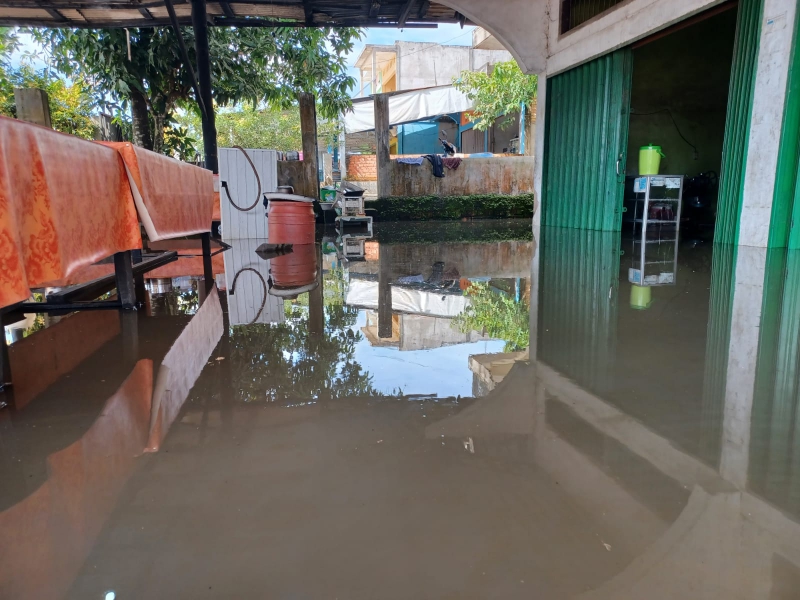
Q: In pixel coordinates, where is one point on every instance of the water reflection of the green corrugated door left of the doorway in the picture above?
(579, 288)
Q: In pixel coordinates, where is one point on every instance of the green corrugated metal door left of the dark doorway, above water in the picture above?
(586, 137)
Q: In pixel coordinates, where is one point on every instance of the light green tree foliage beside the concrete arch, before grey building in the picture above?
(500, 92)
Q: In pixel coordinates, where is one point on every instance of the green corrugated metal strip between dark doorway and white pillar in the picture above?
(737, 124)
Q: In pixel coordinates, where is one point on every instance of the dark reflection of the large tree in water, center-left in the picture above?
(285, 363)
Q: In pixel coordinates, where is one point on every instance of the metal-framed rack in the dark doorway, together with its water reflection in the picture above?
(656, 229)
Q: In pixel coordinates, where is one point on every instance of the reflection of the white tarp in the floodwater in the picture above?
(365, 293)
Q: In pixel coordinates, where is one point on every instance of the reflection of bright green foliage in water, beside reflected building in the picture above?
(496, 315)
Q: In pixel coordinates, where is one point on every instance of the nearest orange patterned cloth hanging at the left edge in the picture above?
(65, 203)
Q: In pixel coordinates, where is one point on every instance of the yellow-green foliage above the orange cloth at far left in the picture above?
(70, 103)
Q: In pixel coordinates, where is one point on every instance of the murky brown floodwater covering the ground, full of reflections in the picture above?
(472, 413)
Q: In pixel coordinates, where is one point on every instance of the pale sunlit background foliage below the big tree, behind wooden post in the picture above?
(259, 128)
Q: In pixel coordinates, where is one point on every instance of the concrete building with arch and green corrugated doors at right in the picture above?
(593, 60)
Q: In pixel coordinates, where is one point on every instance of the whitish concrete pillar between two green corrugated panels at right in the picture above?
(769, 98)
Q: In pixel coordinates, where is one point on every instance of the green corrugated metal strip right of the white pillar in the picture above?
(786, 201)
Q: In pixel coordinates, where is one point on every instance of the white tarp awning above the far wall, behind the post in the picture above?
(408, 107)
